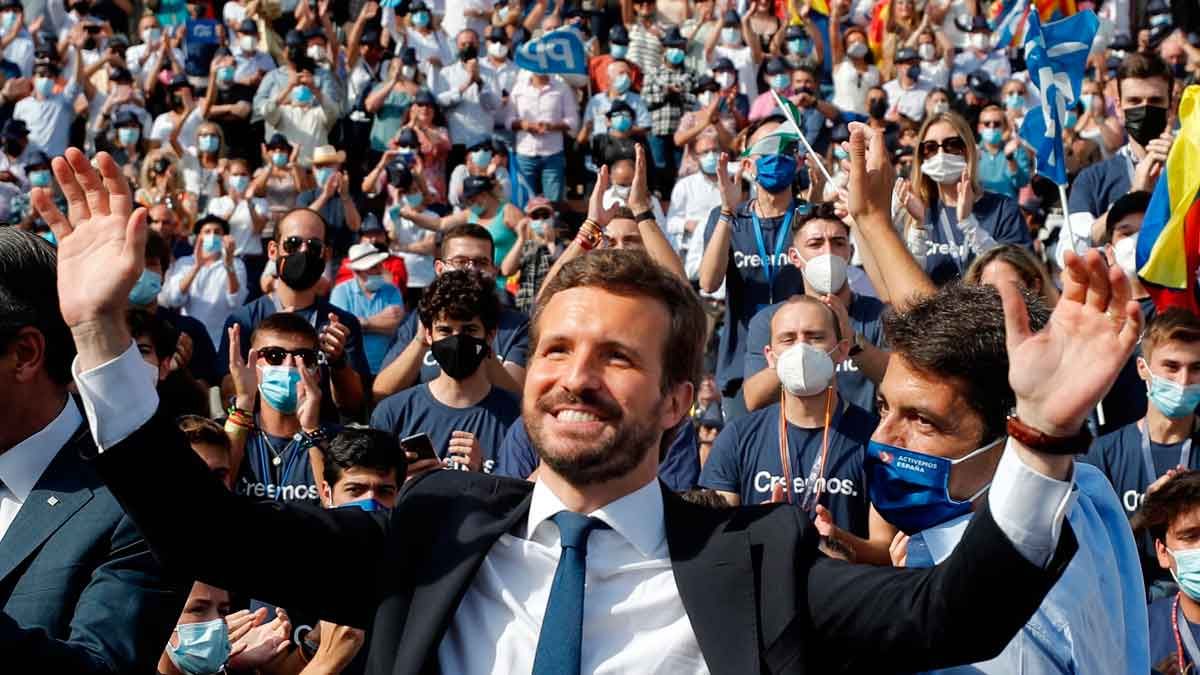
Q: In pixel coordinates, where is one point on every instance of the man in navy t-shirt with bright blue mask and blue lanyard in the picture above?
(746, 248)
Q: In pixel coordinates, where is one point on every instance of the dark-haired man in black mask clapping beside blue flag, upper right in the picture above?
(1144, 86)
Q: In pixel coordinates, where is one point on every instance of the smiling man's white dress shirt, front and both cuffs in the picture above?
(634, 620)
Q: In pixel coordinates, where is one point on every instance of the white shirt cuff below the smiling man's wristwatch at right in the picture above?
(1030, 507)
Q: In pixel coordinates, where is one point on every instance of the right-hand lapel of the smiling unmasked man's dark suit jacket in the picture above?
(716, 578)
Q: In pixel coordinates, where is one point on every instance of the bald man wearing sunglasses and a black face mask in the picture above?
(301, 253)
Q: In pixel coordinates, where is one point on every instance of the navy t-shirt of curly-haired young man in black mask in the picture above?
(416, 411)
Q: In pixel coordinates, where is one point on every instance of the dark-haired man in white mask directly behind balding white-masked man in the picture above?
(821, 249)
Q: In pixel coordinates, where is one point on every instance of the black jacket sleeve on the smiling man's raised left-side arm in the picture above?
(202, 531)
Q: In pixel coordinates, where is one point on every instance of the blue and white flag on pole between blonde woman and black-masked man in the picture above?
(1057, 56)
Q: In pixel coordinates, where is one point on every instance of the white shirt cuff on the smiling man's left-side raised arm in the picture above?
(118, 397)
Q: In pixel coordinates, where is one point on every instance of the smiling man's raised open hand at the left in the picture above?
(101, 252)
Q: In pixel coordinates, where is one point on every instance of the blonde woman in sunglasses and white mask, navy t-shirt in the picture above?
(955, 220)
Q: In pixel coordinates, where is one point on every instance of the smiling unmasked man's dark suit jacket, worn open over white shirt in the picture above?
(760, 596)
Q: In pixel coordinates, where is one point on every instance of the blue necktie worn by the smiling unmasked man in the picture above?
(562, 629)
